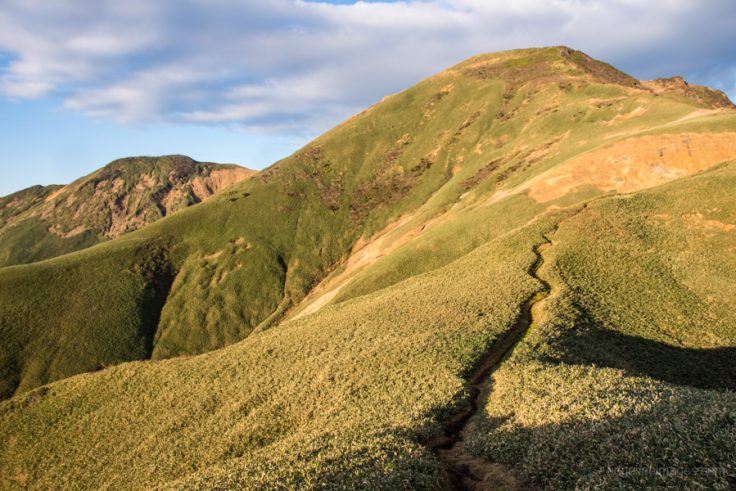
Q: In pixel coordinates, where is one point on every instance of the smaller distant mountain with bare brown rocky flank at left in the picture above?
(46, 221)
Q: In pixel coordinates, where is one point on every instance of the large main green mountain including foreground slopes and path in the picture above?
(517, 273)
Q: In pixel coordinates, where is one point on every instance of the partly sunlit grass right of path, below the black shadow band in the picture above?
(582, 427)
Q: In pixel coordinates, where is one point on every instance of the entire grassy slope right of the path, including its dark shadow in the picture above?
(628, 378)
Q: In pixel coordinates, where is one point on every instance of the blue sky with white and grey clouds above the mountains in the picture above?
(83, 82)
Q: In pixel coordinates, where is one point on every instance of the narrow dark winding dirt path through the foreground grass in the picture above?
(465, 471)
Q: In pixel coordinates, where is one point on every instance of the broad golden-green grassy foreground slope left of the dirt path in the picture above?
(339, 399)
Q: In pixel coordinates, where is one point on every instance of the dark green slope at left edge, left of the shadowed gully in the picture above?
(61, 332)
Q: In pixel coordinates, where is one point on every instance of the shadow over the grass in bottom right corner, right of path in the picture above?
(659, 447)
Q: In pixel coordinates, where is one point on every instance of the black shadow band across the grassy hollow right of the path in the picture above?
(713, 368)
